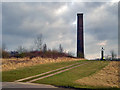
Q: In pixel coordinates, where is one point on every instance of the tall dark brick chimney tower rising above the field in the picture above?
(80, 36)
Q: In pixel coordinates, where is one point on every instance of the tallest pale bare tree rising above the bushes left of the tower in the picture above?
(38, 42)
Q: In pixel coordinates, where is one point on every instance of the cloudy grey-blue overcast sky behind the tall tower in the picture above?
(56, 21)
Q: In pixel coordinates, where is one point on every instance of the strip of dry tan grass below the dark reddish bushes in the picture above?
(14, 63)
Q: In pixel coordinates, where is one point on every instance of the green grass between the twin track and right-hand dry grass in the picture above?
(68, 78)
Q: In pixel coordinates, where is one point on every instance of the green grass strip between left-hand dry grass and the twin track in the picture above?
(23, 72)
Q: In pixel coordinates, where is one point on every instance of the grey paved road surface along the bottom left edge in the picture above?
(29, 86)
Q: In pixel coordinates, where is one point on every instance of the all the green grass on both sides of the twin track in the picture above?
(64, 79)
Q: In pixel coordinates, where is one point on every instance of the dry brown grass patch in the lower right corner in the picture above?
(107, 77)
